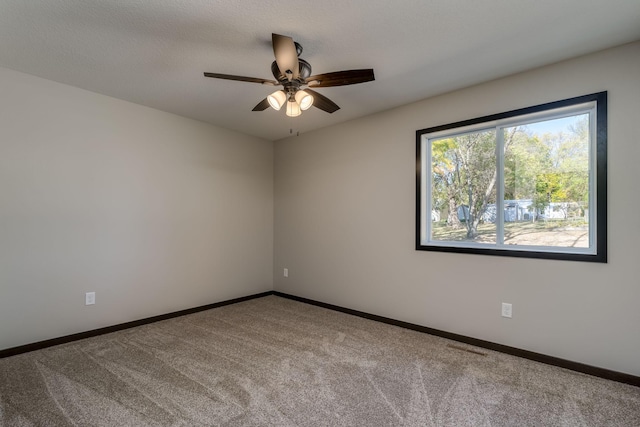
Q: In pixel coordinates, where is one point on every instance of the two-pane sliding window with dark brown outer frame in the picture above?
(526, 183)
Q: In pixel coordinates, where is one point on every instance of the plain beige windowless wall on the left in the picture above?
(153, 212)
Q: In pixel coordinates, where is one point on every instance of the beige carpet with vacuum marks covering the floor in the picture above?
(277, 362)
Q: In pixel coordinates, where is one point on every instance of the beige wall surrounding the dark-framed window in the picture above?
(345, 215)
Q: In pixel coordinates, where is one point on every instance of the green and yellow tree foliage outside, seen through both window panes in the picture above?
(547, 168)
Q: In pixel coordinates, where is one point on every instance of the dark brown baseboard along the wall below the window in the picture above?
(538, 357)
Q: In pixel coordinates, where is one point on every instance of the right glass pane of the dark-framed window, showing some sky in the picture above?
(546, 183)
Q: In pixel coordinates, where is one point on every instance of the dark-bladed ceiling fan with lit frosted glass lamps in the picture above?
(294, 75)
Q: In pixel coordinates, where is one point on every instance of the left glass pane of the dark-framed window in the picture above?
(463, 185)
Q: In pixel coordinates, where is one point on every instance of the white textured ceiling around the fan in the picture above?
(153, 52)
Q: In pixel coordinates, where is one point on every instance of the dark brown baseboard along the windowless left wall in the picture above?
(101, 331)
